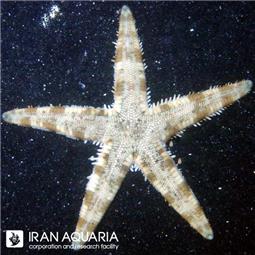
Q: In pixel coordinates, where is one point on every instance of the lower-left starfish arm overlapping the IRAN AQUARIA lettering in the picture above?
(110, 169)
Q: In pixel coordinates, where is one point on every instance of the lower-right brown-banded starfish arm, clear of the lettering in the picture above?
(159, 168)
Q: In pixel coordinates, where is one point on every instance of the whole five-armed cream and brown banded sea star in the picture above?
(133, 132)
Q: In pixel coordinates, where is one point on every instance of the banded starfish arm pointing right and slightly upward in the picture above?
(176, 115)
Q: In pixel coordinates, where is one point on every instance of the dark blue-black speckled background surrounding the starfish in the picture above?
(188, 47)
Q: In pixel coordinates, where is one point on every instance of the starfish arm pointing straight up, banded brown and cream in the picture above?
(129, 76)
